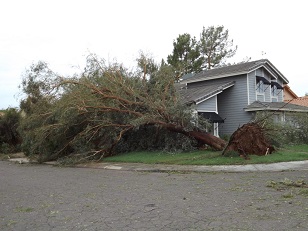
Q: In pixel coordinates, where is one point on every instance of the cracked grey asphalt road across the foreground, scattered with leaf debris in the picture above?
(41, 197)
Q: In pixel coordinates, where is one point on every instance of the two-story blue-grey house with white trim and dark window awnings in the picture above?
(230, 96)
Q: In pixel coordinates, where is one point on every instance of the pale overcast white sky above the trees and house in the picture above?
(63, 32)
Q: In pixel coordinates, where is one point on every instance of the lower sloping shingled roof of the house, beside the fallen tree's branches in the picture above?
(201, 93)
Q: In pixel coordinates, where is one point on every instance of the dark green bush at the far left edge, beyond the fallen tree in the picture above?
(10, 138)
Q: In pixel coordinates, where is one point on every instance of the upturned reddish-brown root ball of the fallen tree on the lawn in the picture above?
(249, 139)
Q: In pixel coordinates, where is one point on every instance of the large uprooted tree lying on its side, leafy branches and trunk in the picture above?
(91, 112)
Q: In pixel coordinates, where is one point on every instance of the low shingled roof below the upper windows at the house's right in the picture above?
(275, 106)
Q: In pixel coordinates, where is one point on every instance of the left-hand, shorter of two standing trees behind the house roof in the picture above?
(185, 57)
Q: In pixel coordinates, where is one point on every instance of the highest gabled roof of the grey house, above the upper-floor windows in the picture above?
(237, 69)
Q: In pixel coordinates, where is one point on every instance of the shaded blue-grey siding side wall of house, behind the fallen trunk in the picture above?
(231, 103)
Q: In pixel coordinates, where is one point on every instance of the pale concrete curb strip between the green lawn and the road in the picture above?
(275, 167)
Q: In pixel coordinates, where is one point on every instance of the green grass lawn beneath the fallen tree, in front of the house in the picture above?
(207, 157)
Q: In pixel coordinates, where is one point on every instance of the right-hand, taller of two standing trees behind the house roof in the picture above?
(215, 46)
